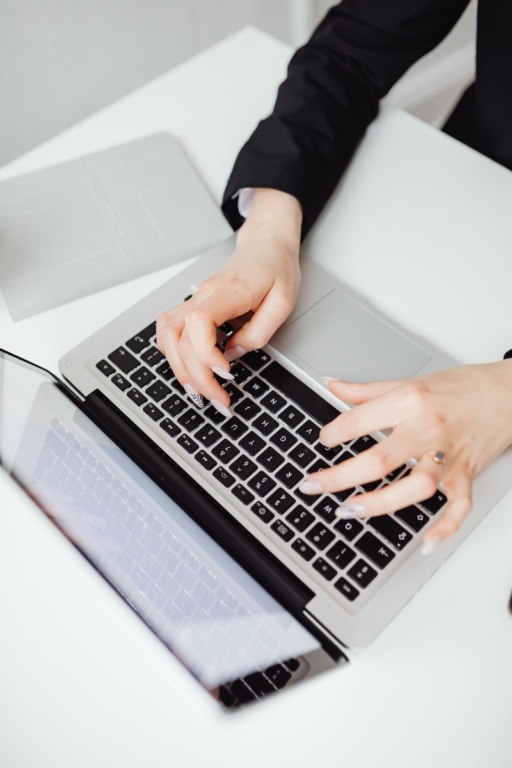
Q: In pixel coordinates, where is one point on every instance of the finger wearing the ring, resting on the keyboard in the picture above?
(420, 484)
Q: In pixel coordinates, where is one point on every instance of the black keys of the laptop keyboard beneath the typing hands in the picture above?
(264, 451)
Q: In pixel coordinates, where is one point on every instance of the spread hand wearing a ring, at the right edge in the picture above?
(464, 412)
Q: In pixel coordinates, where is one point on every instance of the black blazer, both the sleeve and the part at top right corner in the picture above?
(336, 80)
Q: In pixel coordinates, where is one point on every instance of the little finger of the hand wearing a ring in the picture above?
(458, 483)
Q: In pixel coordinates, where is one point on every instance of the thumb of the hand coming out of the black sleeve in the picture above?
(271, 313)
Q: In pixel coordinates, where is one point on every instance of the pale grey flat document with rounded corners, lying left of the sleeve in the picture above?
(97, 221)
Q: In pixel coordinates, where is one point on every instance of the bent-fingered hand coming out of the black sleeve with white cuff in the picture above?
(262, 275)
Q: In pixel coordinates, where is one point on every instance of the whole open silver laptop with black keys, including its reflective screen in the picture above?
(196, 518)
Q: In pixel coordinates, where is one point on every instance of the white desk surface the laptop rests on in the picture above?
(82, 682)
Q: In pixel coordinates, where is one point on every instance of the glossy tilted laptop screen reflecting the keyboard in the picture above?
(229, 632)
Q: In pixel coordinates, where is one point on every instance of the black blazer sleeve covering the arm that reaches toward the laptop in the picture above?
(331, 94)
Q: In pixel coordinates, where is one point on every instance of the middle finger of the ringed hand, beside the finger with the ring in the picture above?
(373, 464)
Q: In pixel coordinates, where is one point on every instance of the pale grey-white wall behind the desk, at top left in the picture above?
(61, 60)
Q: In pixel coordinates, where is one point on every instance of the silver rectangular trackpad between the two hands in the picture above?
(340, 337)
